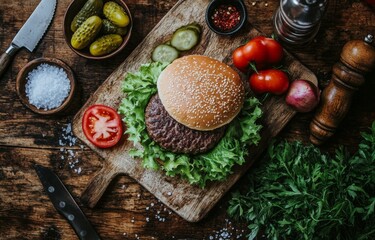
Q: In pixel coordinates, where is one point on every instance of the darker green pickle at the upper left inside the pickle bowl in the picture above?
(91, 7)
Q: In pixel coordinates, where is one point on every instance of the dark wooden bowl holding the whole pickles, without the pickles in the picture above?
(74, 7)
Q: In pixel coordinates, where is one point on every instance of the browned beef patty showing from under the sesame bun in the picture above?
(174, 136)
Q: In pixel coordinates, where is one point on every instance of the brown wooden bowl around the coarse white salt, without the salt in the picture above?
(22, 80)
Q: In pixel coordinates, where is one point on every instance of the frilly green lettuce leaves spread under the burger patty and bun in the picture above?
(211, 166)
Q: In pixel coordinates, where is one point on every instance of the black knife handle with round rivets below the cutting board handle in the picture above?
(64, 203)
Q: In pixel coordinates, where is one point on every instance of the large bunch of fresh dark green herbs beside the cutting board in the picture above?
(301, 193)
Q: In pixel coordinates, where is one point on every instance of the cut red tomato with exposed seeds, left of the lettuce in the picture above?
(102, 126)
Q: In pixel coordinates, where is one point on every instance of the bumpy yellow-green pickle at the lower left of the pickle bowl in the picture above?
(86, 33)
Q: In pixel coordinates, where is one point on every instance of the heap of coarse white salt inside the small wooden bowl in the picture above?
(47, 86)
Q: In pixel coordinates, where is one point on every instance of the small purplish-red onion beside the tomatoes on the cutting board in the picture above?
(303, 95)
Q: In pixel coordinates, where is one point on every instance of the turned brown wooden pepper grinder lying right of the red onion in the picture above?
(357, 58)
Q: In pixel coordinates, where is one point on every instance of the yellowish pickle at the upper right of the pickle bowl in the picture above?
(116, 14)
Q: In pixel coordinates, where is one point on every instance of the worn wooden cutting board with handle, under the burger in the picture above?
(190, 202)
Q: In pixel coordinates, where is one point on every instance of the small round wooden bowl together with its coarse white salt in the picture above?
(46, 85)
